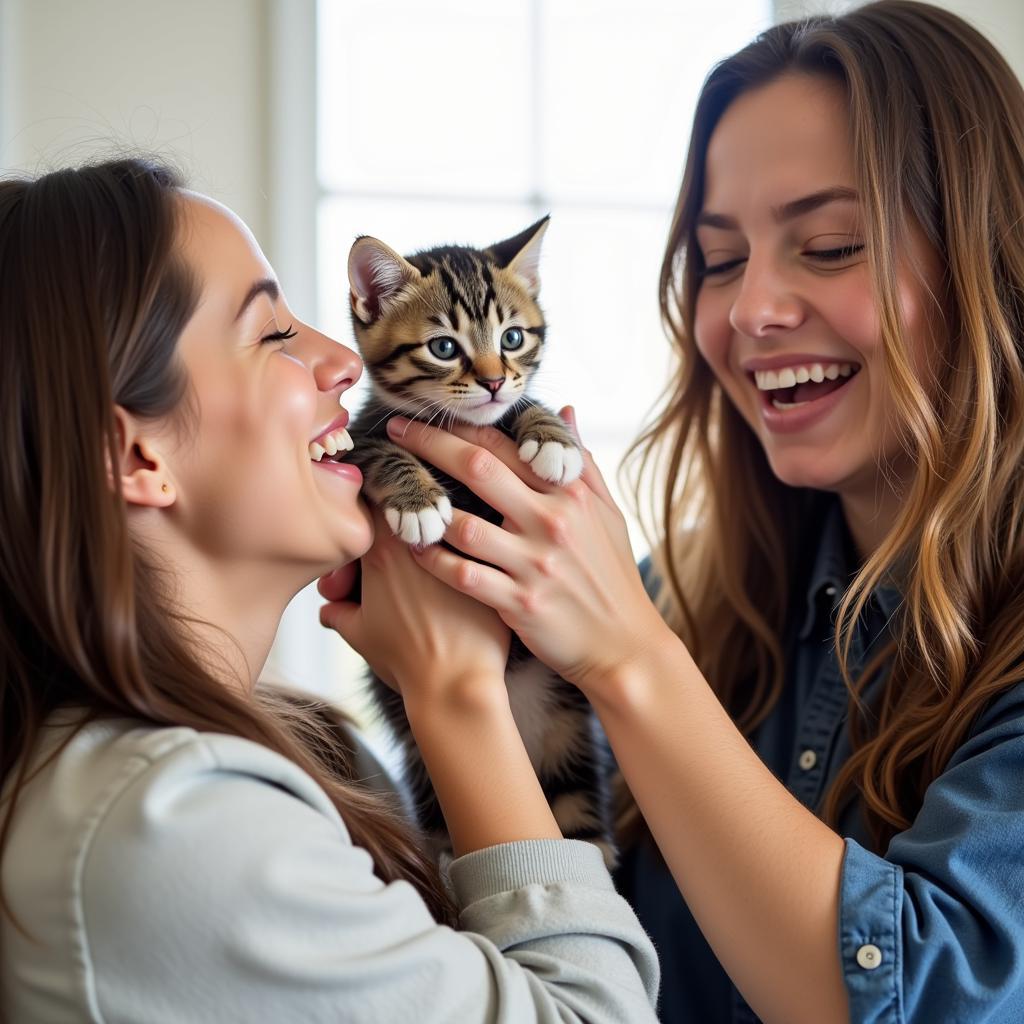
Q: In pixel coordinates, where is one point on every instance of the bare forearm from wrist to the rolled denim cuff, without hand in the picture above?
(759, 872)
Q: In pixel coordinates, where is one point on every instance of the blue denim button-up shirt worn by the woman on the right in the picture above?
(931, 930)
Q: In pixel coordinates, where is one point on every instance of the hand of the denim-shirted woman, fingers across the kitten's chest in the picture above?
(561, 572)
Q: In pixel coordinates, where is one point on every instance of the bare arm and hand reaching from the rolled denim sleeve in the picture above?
(760, 872)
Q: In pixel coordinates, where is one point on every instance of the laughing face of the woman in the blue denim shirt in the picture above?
(786, 315)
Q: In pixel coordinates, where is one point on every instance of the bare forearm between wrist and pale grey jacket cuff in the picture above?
(480, 770)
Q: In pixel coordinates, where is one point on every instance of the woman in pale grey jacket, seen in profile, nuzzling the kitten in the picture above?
(180, 844)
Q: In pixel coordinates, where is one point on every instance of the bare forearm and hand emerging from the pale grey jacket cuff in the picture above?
(449, 664)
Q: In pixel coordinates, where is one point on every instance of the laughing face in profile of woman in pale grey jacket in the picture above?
(247, 491)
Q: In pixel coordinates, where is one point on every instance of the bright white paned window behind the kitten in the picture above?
(464, 122)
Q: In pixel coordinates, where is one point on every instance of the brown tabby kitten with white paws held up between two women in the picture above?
(456, 334)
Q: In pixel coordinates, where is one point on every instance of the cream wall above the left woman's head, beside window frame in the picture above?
(185, 78)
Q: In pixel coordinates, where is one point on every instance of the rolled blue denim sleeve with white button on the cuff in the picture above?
(934, 930)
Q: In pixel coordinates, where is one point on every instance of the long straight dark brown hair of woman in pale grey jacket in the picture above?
(94, 297)
